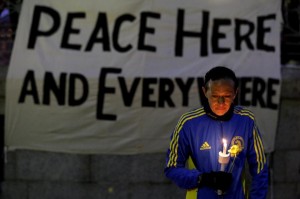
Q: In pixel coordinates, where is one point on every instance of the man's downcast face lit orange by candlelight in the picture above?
(220, 95)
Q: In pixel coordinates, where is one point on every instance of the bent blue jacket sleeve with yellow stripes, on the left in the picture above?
(176, 159)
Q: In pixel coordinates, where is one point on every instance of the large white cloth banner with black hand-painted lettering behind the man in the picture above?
(114, 76)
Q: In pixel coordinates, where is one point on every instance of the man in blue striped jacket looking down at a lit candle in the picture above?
(198, 137)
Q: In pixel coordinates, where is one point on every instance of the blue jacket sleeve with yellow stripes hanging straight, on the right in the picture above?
(258, 166)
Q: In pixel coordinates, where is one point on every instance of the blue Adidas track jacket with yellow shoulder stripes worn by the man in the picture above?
(199, 137)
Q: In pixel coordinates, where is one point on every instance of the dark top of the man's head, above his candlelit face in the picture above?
(220, 72)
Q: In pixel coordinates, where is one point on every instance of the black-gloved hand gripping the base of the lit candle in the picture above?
(217, 180)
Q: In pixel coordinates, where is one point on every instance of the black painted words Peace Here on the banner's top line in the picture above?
(248, 35)
